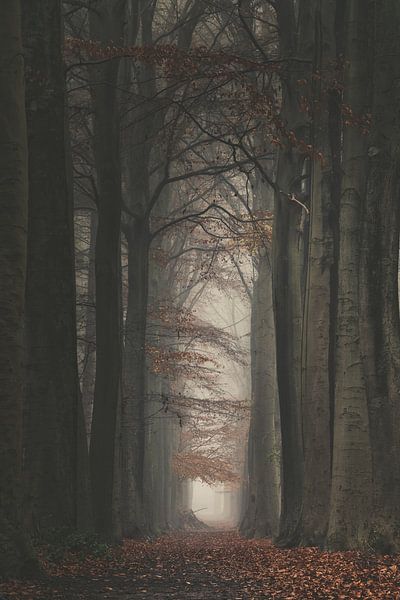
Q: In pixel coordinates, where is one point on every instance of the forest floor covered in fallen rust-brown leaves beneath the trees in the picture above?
(213, 565)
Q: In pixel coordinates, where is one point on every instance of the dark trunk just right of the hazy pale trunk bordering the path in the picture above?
(289, 241)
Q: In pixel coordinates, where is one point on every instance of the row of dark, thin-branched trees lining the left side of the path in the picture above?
(102, 258)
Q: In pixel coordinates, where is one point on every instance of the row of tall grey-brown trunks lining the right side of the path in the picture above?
(333, 268)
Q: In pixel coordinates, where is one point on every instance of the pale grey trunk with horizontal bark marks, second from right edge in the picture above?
(351, 496)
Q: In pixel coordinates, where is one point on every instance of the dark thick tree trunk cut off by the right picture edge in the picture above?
(380, 333)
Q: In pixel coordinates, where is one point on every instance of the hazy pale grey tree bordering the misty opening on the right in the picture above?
(261, 516)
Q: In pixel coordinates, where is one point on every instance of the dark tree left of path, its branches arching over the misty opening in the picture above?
(145, 192)
